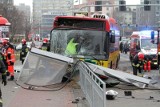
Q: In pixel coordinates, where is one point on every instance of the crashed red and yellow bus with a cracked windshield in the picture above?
(100, 39)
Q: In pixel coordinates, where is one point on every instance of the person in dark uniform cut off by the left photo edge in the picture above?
(4, 77)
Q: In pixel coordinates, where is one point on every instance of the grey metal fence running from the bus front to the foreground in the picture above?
(93, 87)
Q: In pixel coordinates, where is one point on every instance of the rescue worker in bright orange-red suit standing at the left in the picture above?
(10, 59)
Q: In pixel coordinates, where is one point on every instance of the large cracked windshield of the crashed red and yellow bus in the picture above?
(88, 43)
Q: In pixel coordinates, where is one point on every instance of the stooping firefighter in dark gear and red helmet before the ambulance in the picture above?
(138, 63)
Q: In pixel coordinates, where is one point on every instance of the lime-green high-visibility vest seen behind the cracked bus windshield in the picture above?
(71, 48)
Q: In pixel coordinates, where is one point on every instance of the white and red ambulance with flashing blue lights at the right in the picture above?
(141, 42)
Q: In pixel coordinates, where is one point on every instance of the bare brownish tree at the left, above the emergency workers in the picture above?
(19, 24)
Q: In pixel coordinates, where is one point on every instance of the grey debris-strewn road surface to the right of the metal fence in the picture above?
(139, 97)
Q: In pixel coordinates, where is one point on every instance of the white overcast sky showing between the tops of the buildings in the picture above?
(29, 2)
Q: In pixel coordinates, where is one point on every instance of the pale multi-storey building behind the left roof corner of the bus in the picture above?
(42, 7)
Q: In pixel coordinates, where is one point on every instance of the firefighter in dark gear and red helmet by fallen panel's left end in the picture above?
(24, 51)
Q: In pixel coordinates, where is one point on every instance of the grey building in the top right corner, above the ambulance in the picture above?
(149, 19)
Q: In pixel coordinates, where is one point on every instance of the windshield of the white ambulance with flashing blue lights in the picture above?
(147, 44)
